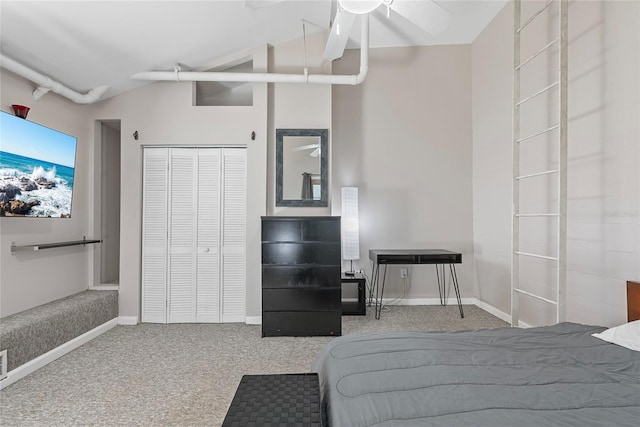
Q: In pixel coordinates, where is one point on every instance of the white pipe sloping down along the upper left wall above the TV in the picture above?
(46, 84)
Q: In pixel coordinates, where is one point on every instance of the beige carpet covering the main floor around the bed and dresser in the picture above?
(185, 374)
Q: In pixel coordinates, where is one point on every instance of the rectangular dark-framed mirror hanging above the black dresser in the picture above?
(301, 167)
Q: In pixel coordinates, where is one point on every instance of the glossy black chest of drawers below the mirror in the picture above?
(301, 288)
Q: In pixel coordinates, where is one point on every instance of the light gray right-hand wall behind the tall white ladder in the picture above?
(604, 152)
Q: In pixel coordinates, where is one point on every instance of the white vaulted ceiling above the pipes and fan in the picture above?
(85, 44)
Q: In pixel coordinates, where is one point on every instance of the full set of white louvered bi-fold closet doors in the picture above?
(211, 272)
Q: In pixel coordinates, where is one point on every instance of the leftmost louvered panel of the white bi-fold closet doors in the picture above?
(154, 236)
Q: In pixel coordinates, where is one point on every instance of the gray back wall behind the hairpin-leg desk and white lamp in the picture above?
(404, 138)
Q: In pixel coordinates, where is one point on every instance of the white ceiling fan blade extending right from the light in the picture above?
(426, 14)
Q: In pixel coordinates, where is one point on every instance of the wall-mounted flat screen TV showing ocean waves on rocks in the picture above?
(37, 167)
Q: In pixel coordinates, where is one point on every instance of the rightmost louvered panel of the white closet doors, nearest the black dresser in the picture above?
(234, 188)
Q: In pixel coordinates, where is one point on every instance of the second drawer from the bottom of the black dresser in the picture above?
(301, 299)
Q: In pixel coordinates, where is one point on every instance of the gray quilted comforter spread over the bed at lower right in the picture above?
(552, 376)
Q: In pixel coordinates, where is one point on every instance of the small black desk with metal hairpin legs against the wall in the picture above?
(439, 257)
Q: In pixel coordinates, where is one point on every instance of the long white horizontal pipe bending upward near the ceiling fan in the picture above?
(214, 76)
